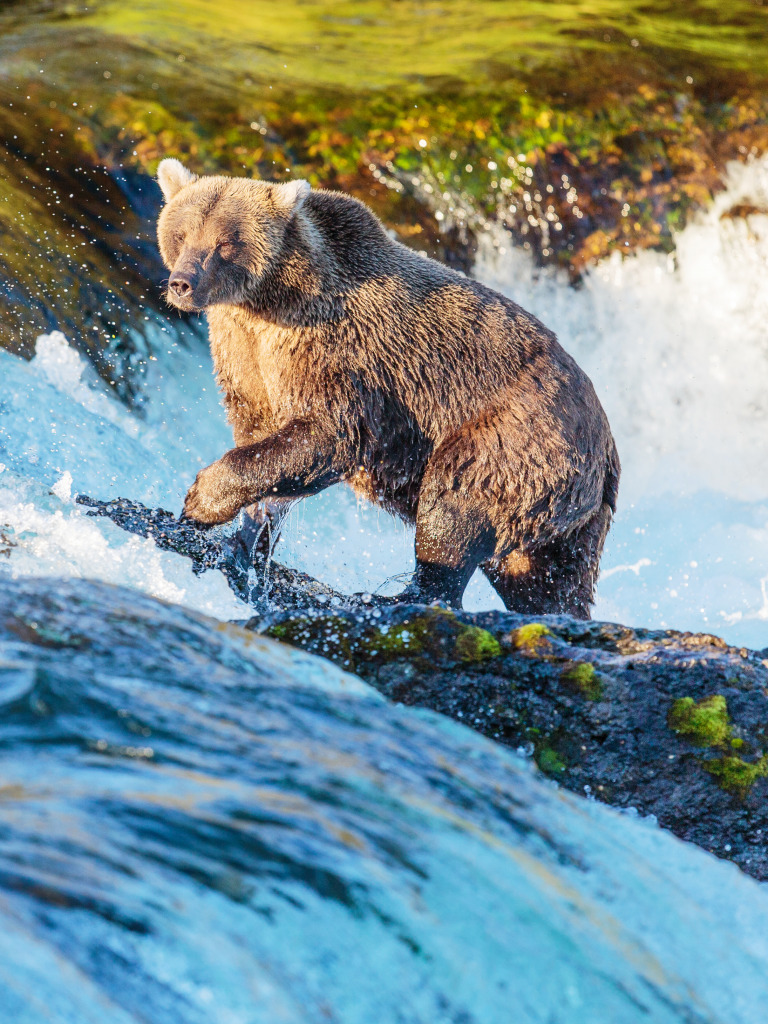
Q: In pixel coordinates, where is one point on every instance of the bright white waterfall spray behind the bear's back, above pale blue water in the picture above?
(676, 346)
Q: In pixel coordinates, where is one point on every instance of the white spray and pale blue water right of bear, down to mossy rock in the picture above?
(678, 351)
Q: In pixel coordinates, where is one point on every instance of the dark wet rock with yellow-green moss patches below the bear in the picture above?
(671, 724)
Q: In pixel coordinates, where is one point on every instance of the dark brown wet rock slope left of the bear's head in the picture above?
(79, 253)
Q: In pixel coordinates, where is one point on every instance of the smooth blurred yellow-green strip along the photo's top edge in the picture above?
(422, 37)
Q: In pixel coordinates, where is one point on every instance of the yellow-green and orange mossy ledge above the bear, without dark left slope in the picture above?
(616, 104)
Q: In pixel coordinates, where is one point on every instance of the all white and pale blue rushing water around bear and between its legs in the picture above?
(677, 349)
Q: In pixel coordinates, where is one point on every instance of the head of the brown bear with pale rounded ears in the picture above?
(220, 236)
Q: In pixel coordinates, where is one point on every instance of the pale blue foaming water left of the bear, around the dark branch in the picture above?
(62, 434)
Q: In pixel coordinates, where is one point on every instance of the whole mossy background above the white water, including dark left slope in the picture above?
(586, 127)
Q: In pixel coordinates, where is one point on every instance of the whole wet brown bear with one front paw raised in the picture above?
(345, 356)
